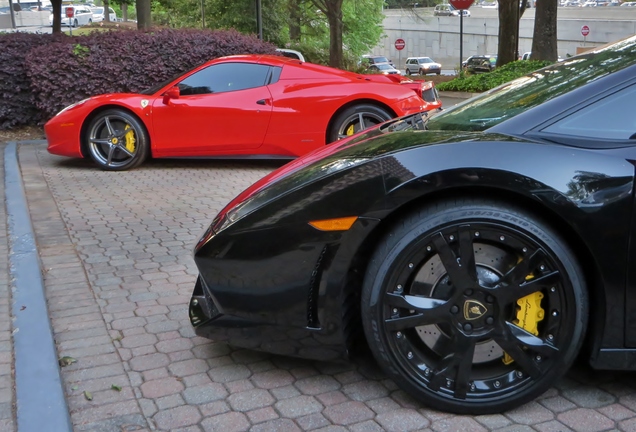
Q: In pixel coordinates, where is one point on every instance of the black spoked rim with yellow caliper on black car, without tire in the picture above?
(452, 317)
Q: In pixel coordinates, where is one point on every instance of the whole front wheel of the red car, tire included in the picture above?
(116, 140)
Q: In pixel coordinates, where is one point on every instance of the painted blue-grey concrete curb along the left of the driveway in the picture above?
(41, 403)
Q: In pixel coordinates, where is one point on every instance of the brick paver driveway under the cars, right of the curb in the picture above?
(116, 251)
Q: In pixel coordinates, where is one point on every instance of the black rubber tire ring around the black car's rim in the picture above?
(420, 224)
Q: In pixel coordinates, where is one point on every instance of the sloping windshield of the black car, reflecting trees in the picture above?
(526, 92)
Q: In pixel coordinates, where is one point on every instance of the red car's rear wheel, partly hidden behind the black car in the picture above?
(356, 118)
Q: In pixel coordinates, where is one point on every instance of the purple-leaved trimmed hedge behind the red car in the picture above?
(41, 74)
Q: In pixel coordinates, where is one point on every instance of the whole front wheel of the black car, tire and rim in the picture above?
(440, 311)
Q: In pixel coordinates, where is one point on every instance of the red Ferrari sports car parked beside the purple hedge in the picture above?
(237, 106)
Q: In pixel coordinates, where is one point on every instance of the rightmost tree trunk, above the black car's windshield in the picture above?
(544, 39)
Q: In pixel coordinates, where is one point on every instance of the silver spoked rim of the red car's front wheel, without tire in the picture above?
(113, 141)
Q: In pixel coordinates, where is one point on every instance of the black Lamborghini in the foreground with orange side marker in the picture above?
(478, 250)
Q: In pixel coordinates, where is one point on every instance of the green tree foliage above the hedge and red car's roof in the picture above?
(296, 24)
